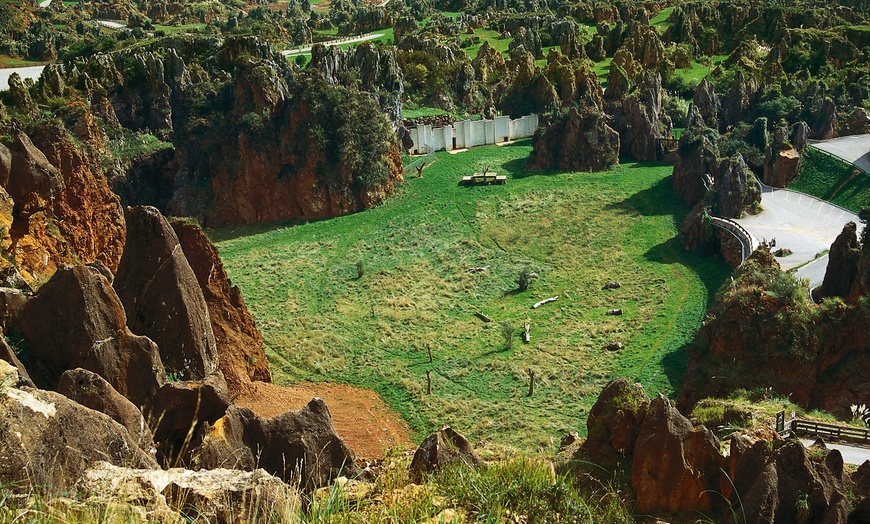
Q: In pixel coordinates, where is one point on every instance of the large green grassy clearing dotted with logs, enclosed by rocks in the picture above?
(322, 322)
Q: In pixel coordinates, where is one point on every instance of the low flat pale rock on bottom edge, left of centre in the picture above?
(220, 496)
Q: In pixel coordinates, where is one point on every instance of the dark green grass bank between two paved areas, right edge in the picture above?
(831, 179)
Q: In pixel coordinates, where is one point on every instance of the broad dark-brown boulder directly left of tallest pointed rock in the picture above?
(77, 321)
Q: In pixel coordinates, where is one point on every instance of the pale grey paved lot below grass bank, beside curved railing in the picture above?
(803, 224)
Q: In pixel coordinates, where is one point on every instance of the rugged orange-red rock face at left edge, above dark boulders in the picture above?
(59, 208)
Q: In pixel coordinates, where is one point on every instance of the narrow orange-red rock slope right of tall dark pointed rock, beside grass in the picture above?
(240, 346)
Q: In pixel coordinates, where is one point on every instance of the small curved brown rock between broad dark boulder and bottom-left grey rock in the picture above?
(92, 391)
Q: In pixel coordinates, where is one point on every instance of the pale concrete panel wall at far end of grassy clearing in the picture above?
(471, 133)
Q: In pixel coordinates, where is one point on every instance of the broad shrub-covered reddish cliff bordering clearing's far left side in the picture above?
(241, 136)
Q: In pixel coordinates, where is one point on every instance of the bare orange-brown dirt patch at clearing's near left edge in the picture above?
(361, 417)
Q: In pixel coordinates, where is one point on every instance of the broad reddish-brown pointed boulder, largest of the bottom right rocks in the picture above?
(676, 465)
